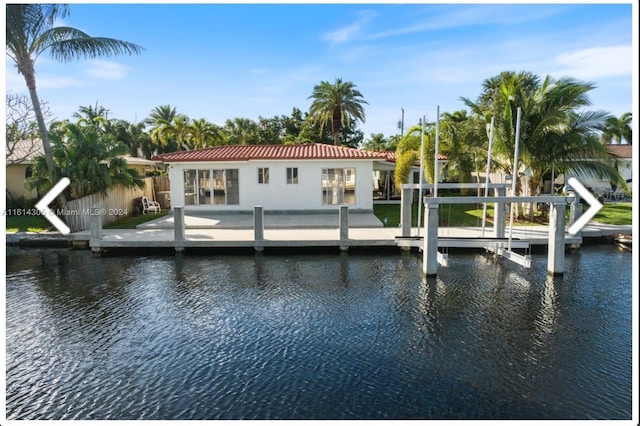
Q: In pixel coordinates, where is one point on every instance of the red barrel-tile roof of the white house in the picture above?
(311, 151)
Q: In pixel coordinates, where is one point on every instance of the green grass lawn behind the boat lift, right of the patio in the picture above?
(471, 214)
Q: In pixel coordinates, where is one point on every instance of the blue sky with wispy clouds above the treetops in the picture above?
(220, 61)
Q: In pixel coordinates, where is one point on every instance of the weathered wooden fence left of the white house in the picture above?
(118, 203)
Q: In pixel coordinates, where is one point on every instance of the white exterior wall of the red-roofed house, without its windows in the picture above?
(278, 195)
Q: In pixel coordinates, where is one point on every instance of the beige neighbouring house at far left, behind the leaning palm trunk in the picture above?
(19, 158)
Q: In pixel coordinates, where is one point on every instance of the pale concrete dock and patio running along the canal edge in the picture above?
(288, 230)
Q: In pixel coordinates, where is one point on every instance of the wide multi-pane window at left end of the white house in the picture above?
(211, 187)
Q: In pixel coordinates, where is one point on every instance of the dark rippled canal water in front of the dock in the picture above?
(317, 337)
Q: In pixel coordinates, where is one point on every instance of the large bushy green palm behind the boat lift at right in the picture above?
(552, 134)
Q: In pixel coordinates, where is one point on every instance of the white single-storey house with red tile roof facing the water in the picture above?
(310, 177)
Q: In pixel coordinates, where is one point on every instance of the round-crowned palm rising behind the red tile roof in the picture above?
(338, 104)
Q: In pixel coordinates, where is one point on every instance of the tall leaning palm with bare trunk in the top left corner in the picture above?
(31, 32)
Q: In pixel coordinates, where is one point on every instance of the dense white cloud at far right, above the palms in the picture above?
(596, 62)
